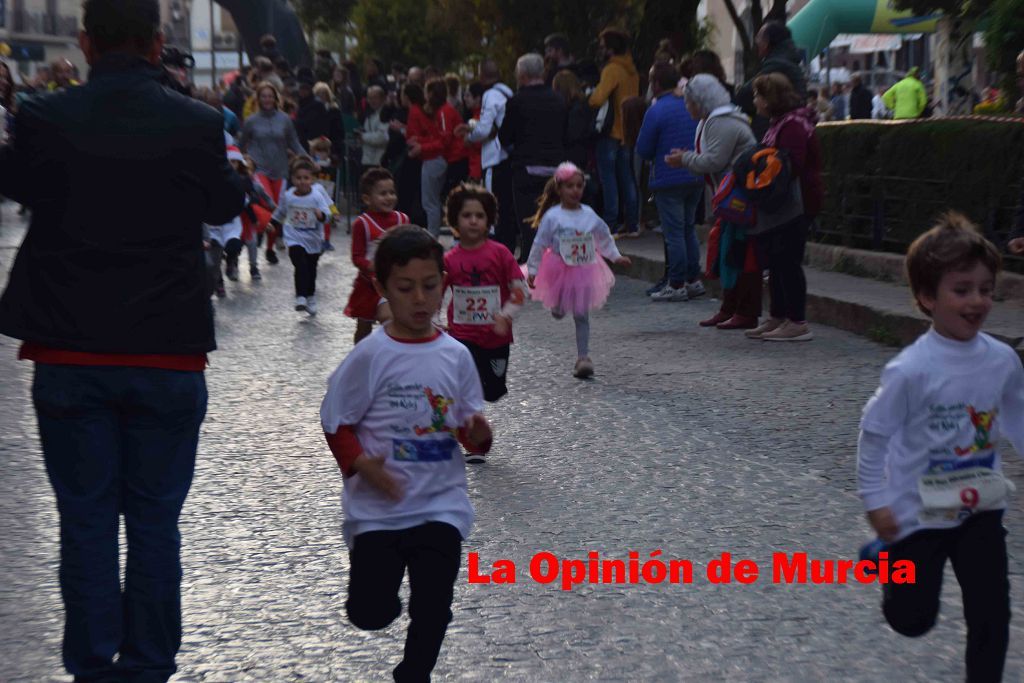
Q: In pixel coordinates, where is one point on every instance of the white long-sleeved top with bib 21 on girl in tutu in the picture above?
(578, 237)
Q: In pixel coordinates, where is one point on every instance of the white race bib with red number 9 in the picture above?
(948, 496)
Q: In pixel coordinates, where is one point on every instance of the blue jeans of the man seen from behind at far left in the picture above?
(120, 441)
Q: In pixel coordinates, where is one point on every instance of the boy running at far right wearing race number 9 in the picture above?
(929, 474)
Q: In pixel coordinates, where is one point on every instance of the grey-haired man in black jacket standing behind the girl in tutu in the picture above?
(534, 135)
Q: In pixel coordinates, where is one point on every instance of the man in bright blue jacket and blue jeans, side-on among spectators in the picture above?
(668, 125)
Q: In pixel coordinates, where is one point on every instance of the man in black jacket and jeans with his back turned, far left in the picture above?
(108, 293)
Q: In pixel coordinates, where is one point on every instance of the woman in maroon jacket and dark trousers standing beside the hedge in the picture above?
(782, 234)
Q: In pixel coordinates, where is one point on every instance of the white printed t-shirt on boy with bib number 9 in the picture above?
(944, 405)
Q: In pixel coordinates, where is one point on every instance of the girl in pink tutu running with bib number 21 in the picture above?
(567, 266)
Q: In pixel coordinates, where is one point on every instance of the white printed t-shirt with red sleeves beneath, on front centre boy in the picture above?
(407, 401)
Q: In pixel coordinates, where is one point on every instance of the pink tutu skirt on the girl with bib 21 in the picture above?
(572, 289)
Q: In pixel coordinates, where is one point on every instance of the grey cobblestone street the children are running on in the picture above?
(689, 441)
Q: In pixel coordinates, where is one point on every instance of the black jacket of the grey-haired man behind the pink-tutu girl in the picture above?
(534, 129)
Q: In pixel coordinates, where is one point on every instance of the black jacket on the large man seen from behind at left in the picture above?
(120, 175)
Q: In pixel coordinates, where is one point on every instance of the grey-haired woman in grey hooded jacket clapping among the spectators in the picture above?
(723, 135)
